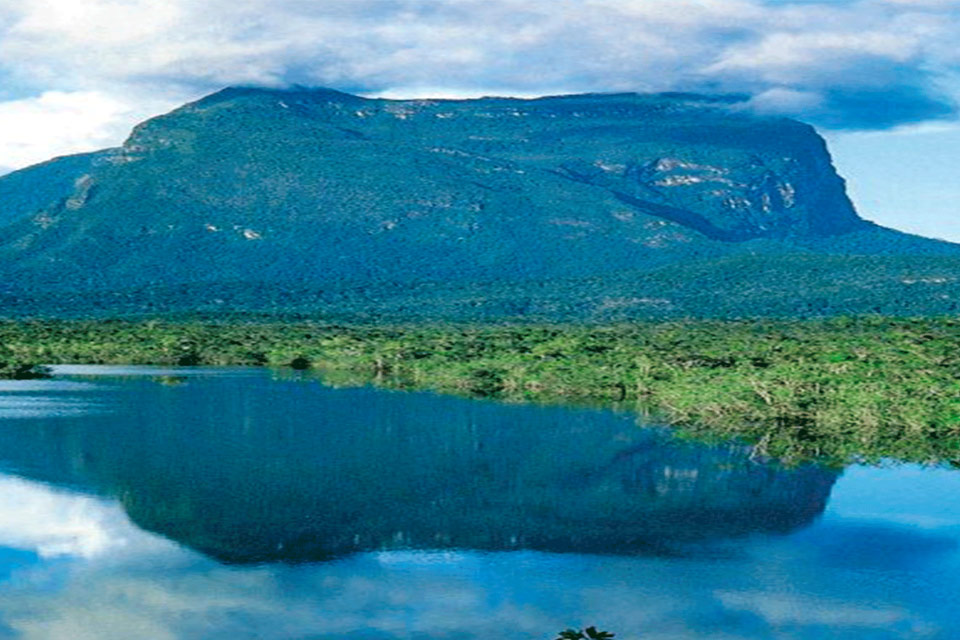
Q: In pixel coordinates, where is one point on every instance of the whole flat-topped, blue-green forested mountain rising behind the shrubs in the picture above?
(586, 207)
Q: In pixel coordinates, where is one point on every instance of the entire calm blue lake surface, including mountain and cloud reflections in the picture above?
(143, 503)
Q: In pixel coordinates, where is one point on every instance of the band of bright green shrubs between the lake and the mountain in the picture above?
(838, 390)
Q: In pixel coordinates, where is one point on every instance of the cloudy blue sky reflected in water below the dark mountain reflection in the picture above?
(103, 578)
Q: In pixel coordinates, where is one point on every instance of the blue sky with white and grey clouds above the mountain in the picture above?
(878, 77)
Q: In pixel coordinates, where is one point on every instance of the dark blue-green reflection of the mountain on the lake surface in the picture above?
(263, 470)
